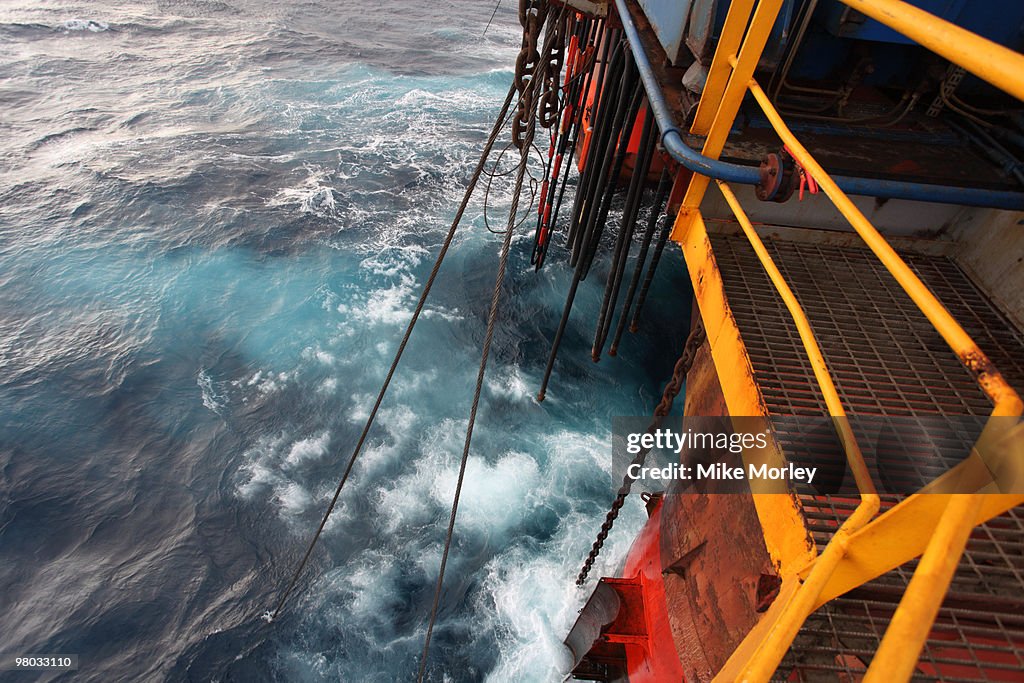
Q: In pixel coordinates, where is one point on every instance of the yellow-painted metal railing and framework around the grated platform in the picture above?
(935, 527)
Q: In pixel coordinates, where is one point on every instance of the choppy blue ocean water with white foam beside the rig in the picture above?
(216, 219)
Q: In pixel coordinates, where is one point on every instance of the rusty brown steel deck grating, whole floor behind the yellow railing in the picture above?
(886, 359)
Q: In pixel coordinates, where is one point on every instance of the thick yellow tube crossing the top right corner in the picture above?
(991, 62)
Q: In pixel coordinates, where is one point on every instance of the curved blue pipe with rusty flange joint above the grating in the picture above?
(672, 141)
